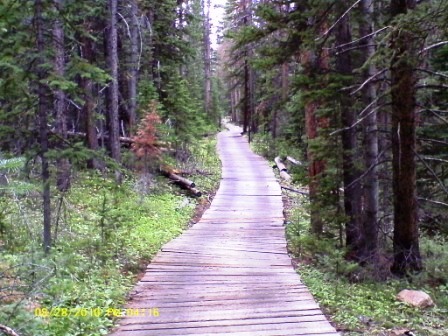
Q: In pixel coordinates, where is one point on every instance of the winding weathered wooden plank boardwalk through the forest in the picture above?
(230, 273)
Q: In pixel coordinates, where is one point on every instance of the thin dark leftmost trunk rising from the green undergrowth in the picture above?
(43, 93)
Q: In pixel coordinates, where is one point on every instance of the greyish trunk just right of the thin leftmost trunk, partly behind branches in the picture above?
(63, 164)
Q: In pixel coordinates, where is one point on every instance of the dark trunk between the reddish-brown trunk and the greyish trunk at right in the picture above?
(351, 173)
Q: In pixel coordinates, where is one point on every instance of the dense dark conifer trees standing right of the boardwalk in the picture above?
(357, 89)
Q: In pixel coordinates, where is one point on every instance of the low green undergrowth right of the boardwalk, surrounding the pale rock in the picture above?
(358, 300)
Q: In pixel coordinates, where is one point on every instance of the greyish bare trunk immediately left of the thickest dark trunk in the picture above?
(371, 185)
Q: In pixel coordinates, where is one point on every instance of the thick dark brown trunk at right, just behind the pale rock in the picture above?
(406, 243)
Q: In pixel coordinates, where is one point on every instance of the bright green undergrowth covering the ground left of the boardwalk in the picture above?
(104, 236)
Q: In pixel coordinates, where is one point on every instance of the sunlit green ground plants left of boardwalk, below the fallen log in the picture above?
(105, 235)
